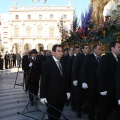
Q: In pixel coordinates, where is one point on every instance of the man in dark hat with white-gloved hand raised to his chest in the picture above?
(34, 75)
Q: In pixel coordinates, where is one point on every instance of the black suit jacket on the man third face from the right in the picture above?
(77, 65)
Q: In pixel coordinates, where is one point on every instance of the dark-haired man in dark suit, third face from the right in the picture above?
(76, 77)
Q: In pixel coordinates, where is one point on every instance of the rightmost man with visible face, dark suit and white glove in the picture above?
(106, 81)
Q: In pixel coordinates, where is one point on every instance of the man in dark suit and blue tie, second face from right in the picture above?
(89, 78)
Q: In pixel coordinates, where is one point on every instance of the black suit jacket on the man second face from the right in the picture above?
(88, 71)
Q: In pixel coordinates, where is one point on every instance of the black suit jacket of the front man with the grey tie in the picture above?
(53, 85)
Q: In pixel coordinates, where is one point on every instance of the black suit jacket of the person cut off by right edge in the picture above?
(117, 81)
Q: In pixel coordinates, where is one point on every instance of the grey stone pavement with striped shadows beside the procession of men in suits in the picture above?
(14, 100)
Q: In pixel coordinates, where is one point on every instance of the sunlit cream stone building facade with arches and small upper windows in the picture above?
(25, 28)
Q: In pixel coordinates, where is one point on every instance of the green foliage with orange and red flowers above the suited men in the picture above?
(102, 32)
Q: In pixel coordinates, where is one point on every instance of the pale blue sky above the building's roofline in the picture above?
(80, 5)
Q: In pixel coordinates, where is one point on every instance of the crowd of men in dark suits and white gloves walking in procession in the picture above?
(85, 80)
